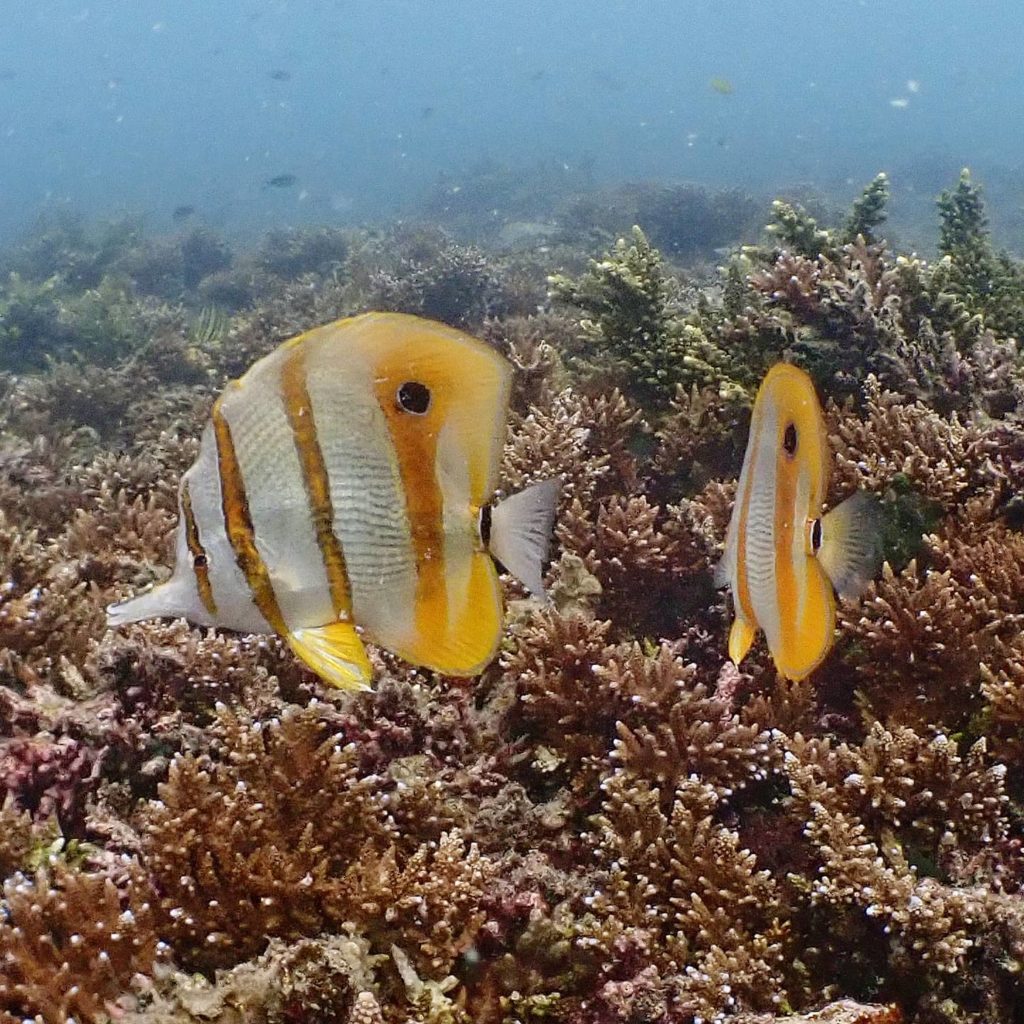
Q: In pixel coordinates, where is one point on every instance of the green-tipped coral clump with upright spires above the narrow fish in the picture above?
(842, 304)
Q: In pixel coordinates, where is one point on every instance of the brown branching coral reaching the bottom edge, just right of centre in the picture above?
(685, 881)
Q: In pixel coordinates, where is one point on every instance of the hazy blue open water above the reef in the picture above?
(141, 106)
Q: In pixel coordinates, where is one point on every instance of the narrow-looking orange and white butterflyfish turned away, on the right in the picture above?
(785, 562)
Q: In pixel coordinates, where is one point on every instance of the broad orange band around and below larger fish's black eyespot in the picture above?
(414, 434)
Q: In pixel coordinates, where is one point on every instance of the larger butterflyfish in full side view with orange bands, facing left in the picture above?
(345, 488)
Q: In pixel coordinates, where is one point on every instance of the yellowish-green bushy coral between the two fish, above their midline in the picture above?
(632, 325)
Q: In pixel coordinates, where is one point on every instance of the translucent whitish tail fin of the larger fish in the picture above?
(521, 533)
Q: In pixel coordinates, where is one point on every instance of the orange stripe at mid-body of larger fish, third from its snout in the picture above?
(298, 408)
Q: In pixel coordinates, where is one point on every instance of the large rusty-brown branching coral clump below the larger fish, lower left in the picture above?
(259, 846)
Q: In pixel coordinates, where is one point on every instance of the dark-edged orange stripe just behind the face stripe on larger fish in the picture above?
(239, 525)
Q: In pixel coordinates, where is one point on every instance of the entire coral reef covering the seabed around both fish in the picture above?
(613, 824)
